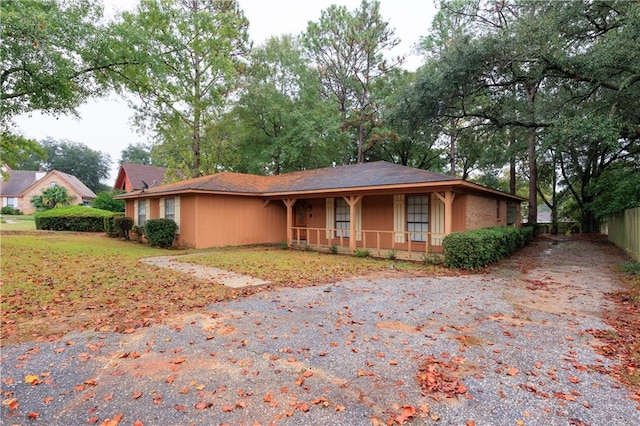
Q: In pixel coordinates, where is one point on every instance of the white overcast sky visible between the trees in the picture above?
(105, 124)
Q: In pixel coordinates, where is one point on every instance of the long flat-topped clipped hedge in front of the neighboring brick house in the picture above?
(75, 218)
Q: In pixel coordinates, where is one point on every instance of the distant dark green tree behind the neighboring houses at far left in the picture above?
(79, 160)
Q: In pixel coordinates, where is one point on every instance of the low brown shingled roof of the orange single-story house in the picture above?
(366, 175)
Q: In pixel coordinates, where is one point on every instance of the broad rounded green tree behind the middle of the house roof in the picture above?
(285, 125)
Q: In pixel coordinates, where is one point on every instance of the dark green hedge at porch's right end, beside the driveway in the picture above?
(481, 247)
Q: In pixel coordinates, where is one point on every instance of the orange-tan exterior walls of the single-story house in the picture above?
(221, 220)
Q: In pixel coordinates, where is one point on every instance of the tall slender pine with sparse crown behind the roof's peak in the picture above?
(348, 49)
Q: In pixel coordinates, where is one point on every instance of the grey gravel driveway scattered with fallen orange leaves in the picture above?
(504, 348)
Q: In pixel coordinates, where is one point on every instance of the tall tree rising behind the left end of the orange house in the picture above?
(190, 54)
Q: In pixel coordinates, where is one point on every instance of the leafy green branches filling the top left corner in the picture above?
(54, 55)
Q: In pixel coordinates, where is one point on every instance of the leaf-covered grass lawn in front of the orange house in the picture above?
(53, 283)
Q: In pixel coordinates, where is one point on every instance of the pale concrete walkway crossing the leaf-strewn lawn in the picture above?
(227, 278)
